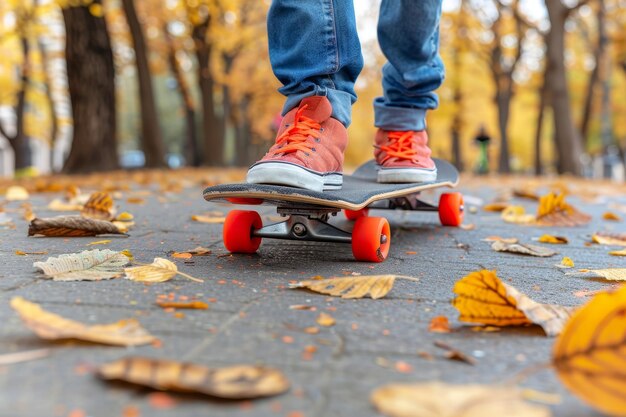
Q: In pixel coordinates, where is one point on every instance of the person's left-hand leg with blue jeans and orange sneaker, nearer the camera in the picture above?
(315, 53)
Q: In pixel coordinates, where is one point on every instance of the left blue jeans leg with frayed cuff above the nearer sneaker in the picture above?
(315, 50)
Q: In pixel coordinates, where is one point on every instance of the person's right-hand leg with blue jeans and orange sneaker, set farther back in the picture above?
(408, 33)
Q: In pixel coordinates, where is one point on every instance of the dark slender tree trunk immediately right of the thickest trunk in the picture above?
(151, 137)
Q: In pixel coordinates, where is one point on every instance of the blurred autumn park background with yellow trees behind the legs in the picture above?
(532, 86)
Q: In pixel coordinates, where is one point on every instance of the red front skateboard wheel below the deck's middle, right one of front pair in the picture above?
(371, 238)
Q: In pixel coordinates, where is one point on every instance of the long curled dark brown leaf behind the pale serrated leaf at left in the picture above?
(71, 226)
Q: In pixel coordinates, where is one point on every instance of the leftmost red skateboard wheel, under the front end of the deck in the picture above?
(237, 232)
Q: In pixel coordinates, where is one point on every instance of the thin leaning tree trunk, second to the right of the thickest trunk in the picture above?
(191, 152)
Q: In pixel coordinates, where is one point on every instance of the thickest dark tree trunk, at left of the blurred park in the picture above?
(91, 81)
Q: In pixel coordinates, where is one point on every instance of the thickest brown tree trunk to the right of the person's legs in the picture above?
(566, 137)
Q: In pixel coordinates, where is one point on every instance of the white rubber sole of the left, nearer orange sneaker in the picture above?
(282, 173)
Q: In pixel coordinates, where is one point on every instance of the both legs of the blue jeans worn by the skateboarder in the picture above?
(315, 50)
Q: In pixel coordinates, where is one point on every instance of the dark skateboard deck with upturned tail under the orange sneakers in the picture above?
(359, 190)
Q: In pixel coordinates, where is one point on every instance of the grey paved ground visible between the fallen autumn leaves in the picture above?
(374, 342)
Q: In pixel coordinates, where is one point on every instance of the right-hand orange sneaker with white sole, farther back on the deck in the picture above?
(404, 157)
